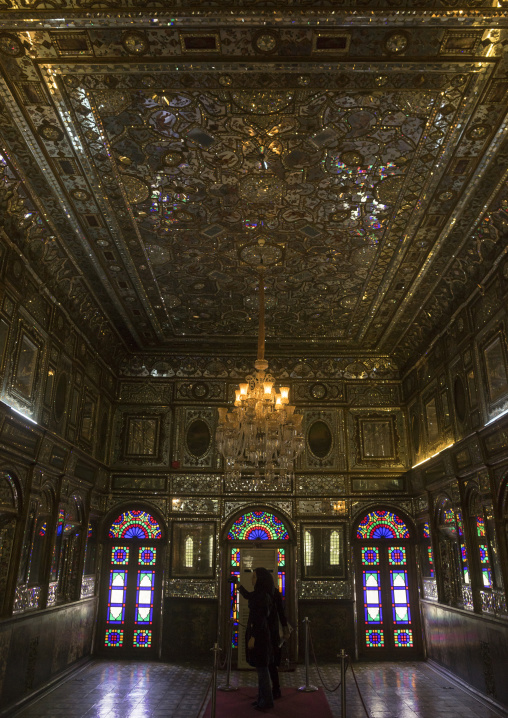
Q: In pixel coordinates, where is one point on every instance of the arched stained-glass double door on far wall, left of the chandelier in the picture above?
(130, 601)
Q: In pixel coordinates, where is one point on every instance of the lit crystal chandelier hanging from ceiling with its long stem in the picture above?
(261, 436)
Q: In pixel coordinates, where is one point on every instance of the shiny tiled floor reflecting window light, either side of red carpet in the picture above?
(125, 689)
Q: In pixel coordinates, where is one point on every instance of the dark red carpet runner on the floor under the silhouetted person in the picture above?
(293, 704)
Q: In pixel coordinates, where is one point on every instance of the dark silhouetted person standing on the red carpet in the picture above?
(262, 634)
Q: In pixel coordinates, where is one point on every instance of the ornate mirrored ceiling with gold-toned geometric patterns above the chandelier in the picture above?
(171, 158)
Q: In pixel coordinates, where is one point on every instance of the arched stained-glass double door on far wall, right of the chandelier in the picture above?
(386, 590)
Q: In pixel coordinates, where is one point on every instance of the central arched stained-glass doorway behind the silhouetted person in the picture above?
(257, 538)
